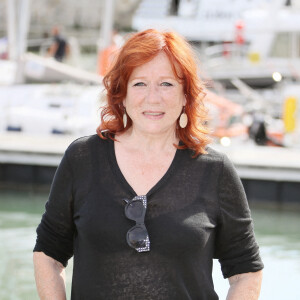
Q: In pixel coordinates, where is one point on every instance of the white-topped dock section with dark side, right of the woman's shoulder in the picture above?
(270, 175)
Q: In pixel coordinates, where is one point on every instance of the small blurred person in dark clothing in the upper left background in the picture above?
(59, 49)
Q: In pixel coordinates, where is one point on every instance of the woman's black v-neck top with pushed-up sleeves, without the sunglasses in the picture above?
(196, 212)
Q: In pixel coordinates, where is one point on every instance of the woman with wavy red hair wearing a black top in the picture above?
(145, 205)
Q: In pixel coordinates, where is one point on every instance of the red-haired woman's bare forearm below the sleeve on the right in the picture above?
(245, 286)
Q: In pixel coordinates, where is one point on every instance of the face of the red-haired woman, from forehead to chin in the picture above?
(154, 97)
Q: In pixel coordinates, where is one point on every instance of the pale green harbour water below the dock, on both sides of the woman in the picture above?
(278, 234)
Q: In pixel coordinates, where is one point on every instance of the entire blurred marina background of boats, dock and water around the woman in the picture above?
(249, 58)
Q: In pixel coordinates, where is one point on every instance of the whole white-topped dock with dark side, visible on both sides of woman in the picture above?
(269, 174)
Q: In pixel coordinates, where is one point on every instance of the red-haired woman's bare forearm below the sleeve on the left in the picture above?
(49, 277)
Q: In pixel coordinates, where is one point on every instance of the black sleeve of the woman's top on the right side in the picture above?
(236, 247)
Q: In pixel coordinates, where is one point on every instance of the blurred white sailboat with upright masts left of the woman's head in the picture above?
(41, 96)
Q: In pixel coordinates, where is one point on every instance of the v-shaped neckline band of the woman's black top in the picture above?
(121, 178)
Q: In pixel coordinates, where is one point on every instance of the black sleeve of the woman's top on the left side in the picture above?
(56, 230)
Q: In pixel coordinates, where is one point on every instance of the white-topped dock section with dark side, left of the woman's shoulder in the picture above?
(30, 161)
